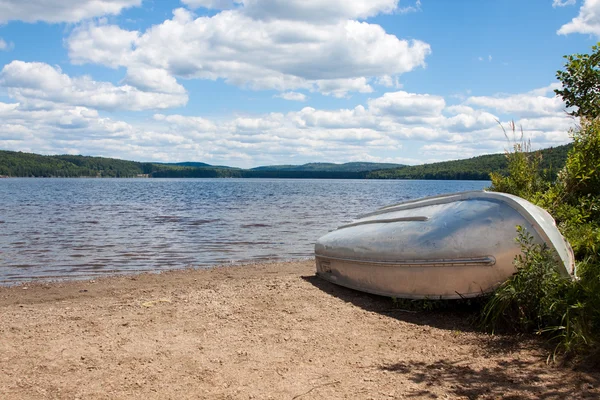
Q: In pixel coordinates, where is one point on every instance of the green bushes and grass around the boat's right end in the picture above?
(536, 298)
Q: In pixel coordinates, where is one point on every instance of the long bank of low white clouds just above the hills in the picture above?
(375, 131)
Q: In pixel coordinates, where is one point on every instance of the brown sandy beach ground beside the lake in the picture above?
(269, 331)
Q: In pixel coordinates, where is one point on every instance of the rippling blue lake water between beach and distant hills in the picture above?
(83, 228)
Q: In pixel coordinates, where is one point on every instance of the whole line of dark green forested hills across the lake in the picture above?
(20, 164)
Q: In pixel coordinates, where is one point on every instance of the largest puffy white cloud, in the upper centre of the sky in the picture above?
(336, 57)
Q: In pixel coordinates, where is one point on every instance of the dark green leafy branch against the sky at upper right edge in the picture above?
(581, 83)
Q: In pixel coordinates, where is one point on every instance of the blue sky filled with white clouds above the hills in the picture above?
(247, 83)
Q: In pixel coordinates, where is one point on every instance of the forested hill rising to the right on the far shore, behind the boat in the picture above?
(476, 168)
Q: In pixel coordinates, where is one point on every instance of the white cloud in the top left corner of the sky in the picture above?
(61, 11)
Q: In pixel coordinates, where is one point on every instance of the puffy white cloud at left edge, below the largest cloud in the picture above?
(43, 83)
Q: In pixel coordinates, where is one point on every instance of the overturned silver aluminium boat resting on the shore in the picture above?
(451, 246)
